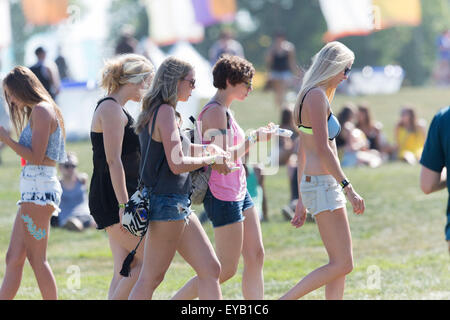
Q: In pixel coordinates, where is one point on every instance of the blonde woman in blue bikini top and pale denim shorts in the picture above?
(323, 184)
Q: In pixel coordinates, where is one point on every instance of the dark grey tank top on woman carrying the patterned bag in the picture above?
(156, 171)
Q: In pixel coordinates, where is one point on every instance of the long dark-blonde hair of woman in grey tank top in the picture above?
(164, 89)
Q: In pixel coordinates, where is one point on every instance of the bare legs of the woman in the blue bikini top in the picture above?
(335, 232)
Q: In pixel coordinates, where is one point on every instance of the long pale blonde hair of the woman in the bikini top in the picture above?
(332, 59)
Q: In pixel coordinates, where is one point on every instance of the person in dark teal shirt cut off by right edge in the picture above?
(436, 159)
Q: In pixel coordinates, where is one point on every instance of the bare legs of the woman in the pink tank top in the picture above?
(232, 240)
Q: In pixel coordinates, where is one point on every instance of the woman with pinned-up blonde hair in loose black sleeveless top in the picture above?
(116, 157)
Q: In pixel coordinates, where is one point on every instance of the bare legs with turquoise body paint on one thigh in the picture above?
(26, 244)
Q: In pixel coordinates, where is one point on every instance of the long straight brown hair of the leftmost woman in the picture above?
(25, 86)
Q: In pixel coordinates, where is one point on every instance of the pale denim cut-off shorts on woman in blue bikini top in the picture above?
(321, 193)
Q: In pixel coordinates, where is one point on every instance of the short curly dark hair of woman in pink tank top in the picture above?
(232, 68)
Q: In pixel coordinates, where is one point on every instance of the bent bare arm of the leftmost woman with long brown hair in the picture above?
(41, 121)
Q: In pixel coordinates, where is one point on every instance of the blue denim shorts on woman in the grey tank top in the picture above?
(169, 207)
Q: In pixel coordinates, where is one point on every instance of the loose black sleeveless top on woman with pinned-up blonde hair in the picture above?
(102, 199)
